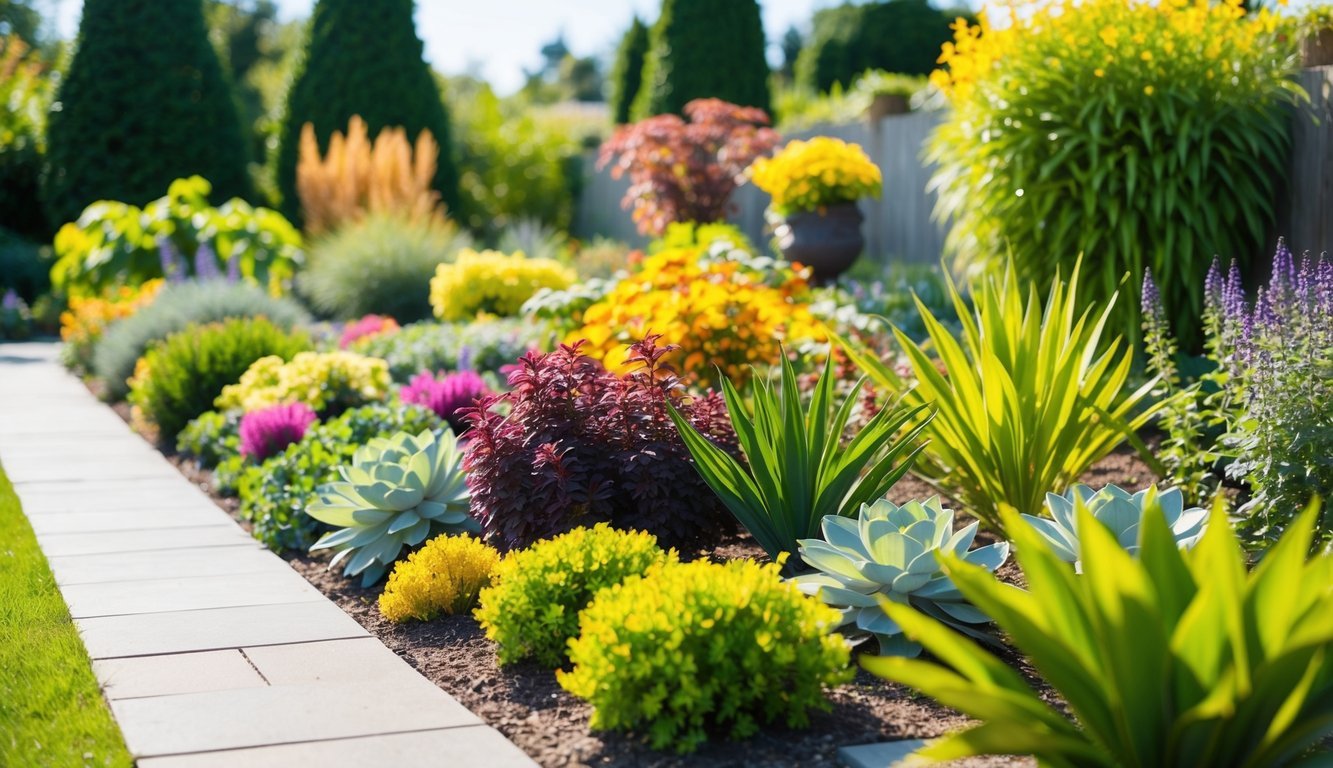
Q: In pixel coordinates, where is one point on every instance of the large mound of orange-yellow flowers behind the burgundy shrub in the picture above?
(720, 311)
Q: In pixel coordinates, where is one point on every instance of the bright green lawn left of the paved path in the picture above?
(51, 711)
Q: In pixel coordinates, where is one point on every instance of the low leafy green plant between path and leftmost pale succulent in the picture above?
(275, 494)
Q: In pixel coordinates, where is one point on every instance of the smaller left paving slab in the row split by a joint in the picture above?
(177, 674)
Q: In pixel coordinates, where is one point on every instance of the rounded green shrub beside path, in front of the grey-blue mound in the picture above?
(181, 378)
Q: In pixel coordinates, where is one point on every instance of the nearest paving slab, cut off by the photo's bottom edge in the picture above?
(469, 747)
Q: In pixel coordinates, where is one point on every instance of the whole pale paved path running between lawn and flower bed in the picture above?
(210, 649)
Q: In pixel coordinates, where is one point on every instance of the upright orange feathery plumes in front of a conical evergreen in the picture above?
(358, 177)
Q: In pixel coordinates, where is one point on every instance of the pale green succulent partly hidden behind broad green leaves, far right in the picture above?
(1122, 513)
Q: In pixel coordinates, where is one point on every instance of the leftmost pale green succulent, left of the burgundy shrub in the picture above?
(398, 493)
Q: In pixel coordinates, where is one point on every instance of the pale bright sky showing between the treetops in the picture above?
(503, 37)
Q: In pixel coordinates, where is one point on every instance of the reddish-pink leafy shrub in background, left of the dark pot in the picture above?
(687, 171)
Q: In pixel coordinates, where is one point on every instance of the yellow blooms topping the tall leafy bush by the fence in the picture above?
(1151, 43)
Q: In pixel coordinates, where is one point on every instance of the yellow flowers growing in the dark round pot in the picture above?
(810, 175)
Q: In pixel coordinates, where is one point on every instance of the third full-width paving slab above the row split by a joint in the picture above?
(242, 558)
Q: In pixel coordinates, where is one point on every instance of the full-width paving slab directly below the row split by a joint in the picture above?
(282, 715)
